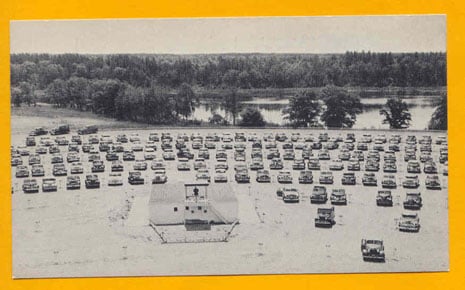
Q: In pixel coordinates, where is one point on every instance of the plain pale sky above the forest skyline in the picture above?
(419, 33)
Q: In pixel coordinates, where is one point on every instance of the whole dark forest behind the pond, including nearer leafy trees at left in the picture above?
(133, 87)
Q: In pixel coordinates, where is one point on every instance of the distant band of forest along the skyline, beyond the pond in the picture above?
(363, 69)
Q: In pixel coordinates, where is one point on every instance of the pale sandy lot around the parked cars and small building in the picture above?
(83, 233)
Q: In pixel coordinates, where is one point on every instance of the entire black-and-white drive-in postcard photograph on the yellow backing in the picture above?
(229, 146)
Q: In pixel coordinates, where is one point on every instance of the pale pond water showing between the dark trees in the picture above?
(420, 107)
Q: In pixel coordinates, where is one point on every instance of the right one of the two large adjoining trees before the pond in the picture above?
(341, 108)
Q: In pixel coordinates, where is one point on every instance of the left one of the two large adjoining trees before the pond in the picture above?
(303, 109)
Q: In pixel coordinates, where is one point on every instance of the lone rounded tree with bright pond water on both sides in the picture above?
(396, 114)
